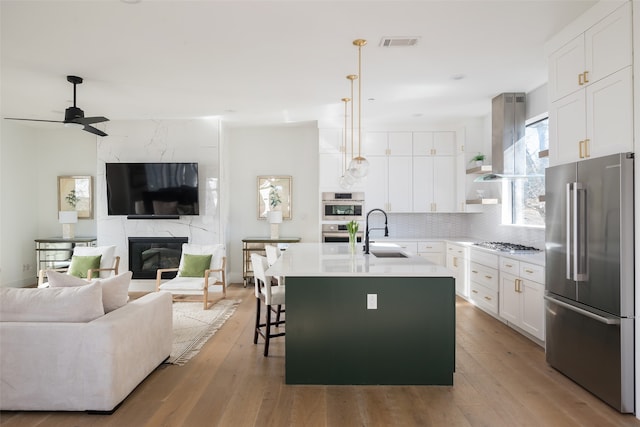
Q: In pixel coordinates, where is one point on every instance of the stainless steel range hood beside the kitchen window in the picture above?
(508, 111)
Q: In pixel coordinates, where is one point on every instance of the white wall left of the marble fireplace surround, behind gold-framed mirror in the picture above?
(32, 159)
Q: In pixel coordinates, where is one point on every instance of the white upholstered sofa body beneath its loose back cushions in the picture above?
(81, 365)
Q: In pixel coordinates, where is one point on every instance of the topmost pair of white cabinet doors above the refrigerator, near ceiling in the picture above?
(600, 51)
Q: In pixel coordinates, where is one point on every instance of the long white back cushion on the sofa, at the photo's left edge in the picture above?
(71, 304)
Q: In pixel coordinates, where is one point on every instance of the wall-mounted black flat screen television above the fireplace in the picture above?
(152, 189)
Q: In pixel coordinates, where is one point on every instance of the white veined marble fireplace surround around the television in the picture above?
(161, 141)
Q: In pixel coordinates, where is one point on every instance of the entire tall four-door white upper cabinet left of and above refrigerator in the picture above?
(591, 91)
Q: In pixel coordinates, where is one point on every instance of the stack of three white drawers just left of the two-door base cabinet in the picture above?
(483, 281)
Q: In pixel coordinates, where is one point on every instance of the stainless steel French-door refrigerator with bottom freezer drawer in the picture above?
(589, 298)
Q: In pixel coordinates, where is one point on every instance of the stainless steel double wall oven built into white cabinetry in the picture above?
(341, 208)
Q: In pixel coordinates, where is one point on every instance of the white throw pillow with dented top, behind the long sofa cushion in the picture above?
(115, 290)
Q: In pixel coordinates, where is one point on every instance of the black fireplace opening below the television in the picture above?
(148, 254)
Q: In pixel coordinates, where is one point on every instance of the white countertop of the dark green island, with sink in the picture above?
(334, 259)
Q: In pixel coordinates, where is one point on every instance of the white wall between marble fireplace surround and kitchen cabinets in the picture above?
(275, 150)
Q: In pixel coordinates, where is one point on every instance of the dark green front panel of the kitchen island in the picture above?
(332, 338)
